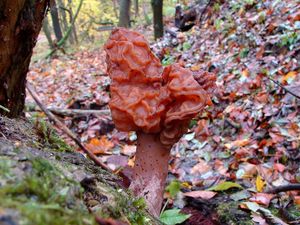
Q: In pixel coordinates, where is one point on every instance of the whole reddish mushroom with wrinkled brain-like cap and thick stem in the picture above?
(156, 102)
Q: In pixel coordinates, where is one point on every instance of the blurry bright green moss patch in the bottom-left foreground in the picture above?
(46, 196)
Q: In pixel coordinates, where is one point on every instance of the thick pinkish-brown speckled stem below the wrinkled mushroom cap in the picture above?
(150, 170)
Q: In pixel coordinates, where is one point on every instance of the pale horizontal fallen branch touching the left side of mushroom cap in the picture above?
(78, 112)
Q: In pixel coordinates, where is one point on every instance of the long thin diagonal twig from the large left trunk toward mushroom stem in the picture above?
(63, 127)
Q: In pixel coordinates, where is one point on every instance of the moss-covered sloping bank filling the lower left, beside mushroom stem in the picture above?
(43, 182)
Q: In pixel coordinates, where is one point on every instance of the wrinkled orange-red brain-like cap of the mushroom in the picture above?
(144, 96)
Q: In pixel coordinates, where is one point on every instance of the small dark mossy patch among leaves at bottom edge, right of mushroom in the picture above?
(229, 213)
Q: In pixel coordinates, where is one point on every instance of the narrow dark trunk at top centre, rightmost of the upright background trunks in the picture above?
(157, 7)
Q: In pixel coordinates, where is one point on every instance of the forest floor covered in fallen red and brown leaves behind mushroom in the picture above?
(238, 151)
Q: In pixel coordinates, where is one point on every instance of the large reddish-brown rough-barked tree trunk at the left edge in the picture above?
(21, 22)
